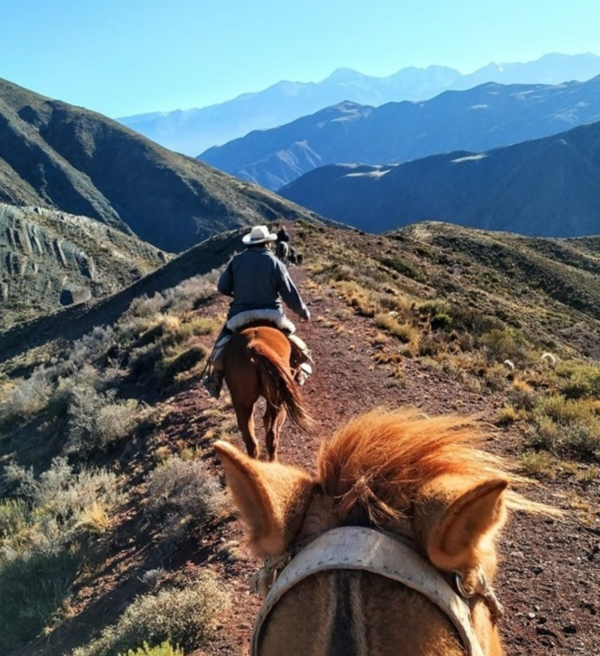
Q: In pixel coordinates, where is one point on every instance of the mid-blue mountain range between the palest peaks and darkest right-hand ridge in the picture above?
(482, 118)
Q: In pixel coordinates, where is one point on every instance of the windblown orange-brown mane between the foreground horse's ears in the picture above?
(374, 466)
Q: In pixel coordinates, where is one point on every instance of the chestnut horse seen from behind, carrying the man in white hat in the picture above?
(257, 363)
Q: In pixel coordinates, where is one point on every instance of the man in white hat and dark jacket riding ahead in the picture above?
(258, 283)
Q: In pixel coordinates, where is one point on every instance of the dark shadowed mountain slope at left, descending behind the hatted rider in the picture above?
(67, 158)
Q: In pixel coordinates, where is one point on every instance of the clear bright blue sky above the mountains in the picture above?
(123, 57)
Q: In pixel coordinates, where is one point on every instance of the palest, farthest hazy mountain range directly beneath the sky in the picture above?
(193, 131)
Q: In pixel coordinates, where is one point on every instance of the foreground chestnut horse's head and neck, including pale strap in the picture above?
(391, 545)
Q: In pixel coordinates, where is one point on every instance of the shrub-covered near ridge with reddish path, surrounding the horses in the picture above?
(110, 491)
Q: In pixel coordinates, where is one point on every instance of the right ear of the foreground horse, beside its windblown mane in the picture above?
(459, 522)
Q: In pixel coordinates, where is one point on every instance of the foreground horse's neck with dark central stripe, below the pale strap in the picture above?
(349, 613)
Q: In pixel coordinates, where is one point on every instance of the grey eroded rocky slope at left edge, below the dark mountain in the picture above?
(49, 259)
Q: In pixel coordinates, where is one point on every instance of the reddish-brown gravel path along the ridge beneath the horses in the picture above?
(549, 579)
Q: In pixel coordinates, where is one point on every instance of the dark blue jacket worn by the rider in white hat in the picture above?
(258, 280)
